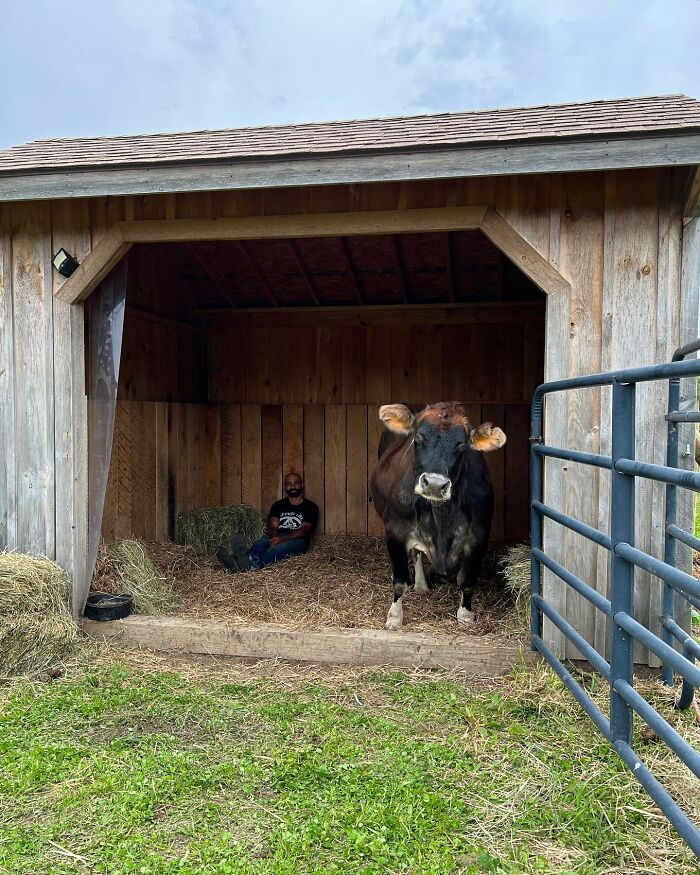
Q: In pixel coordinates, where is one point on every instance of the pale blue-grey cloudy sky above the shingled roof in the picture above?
(87, 68)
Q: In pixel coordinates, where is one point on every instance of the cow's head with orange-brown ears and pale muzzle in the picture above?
(442, 434)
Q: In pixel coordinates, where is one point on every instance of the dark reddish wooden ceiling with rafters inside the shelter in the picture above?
(430, 268)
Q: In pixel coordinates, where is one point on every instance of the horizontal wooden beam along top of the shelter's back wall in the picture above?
(385, 314)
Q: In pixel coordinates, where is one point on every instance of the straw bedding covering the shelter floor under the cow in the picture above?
(344, 581)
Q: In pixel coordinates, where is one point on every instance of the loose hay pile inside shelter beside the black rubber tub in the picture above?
(127, 568)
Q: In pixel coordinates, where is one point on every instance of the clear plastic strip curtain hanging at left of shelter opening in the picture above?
(105, 307)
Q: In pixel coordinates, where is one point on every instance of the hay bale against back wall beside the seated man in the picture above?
(205, 529)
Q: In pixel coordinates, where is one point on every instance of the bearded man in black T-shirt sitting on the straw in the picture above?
(291, 523)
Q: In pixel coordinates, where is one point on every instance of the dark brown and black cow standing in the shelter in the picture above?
(432, 489)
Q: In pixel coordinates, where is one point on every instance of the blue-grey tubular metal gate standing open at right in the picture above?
(677, 650)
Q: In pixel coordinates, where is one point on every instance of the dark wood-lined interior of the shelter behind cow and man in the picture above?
(242, 360)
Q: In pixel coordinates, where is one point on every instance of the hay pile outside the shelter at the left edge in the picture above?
(36, 628)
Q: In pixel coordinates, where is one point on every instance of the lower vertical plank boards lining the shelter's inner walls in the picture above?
(170, 457)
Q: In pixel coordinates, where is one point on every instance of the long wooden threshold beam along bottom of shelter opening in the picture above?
(483, 655)
